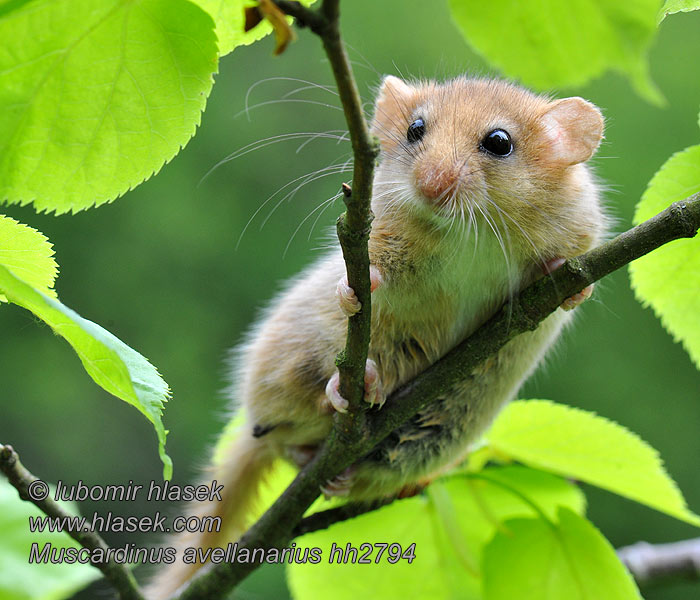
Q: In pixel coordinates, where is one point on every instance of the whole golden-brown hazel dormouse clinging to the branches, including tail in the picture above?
(481, 188)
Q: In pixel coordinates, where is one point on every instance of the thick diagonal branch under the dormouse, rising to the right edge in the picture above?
(524, 312)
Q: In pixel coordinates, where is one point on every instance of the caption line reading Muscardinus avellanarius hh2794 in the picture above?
(364, 554)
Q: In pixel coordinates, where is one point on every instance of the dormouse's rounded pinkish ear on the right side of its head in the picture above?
(573, 129)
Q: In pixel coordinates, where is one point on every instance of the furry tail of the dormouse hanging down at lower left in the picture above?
(239, 466)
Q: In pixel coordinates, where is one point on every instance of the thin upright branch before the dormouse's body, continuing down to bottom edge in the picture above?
(350, 434)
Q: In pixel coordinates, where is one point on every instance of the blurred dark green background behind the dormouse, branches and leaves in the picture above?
(162, 269)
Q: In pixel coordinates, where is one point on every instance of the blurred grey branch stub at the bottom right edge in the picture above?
(654, 564)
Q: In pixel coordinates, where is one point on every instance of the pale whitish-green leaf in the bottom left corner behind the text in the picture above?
(20, 580)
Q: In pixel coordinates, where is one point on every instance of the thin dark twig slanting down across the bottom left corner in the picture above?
(119, 576)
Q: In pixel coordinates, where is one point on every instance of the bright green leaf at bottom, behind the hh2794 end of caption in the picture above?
(449, 525)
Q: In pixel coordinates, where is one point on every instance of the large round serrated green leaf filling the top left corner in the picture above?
(96, 96)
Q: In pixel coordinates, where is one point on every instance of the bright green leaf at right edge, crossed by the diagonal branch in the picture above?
(668, 279)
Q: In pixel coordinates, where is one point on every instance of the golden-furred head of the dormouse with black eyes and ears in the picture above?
(482, 149)
